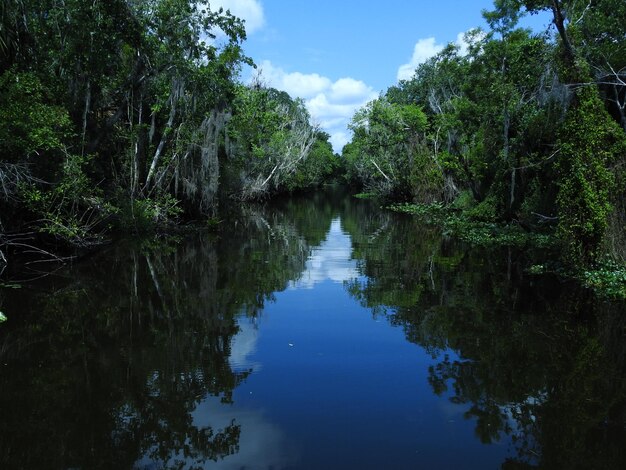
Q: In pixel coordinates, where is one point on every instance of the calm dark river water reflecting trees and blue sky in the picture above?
(314, 333)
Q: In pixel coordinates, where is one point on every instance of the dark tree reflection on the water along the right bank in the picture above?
(534, 359)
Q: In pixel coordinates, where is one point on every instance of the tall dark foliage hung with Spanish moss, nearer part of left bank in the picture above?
(112, 105)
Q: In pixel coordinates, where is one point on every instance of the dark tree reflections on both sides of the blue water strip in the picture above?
(105, 367)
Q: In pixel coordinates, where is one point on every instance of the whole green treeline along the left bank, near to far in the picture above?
(128, 114)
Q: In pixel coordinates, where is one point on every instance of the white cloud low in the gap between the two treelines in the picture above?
(331, 103)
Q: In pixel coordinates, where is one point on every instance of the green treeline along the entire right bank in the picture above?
(522, 127)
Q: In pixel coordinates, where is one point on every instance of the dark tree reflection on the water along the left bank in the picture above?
(103, 368)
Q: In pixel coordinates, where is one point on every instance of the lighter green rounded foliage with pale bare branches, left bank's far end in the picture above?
(275, 147)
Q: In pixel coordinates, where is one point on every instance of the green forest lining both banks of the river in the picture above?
(129, 116)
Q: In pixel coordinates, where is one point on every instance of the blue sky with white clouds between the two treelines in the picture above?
(338, 55)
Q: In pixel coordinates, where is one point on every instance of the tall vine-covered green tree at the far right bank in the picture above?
(590, 146)
